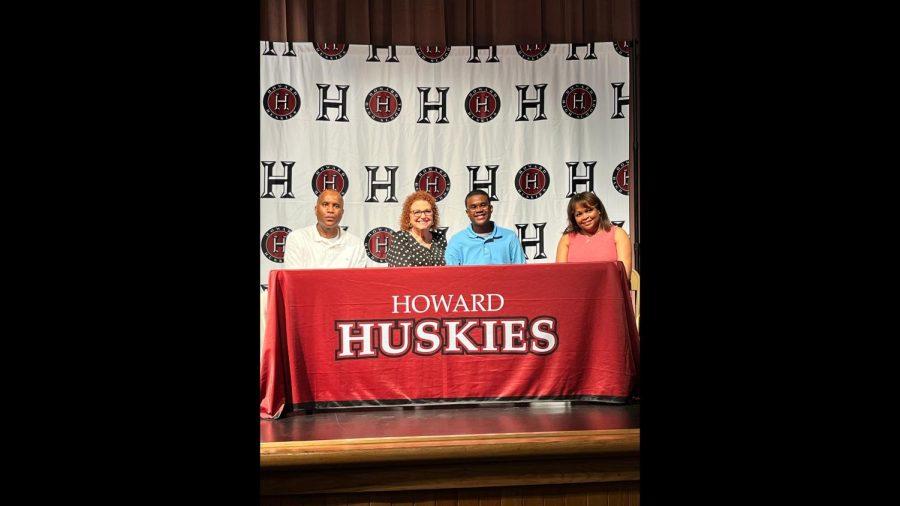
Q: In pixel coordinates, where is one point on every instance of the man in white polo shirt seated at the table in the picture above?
(324, 245)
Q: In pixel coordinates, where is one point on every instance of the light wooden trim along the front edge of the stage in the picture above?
(368, 451)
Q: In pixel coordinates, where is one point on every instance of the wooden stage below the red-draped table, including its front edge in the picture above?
(464, 454)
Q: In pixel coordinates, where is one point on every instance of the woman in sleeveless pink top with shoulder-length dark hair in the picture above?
(590, 236)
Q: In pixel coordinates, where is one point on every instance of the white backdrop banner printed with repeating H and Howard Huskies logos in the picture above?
(530, 125)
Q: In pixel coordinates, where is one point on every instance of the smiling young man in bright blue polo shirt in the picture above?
(483, 242)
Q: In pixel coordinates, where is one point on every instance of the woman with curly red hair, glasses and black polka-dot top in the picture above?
(418, 242)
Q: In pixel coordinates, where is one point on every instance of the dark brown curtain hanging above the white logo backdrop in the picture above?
(446, 22)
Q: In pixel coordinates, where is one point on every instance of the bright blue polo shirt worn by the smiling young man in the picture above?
(468, 248)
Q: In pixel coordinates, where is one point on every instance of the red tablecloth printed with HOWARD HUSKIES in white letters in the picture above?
(560, 332)
